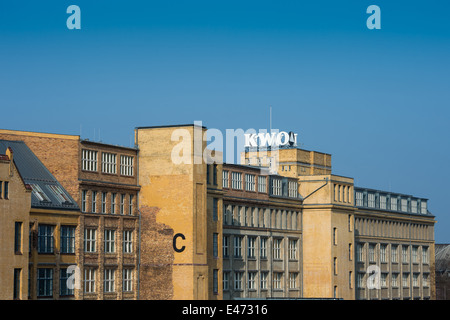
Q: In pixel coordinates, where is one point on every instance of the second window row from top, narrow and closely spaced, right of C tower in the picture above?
(260, 217)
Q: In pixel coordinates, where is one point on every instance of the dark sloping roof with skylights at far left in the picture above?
(47, 191)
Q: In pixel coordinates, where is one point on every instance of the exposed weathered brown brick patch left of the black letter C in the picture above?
(157, 256)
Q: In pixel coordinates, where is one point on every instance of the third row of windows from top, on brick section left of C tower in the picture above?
(109, 241)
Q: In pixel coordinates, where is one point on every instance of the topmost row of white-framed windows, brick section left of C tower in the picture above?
(89, 162)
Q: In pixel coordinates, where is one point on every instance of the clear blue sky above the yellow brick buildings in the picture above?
(377, 100)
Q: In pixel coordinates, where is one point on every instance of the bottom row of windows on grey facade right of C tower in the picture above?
(262, 278)
